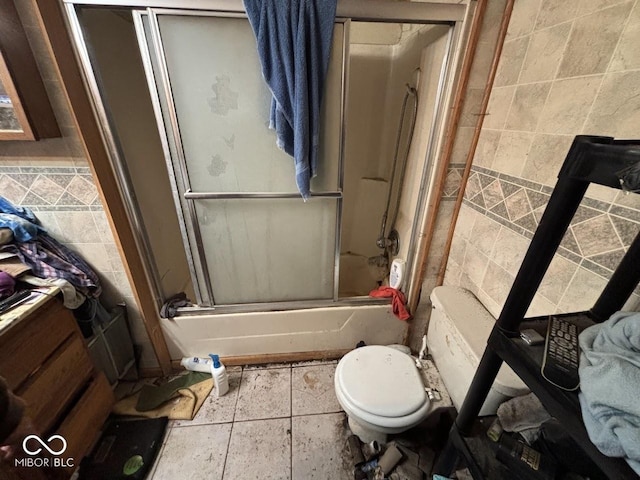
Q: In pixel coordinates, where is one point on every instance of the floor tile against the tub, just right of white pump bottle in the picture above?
(264, 394)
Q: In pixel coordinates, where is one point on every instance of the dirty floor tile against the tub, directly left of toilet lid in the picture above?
(313, 391)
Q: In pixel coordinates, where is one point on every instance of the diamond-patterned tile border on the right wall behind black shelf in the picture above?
(598, 236)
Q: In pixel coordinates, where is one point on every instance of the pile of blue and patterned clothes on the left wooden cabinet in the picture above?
(29, 254)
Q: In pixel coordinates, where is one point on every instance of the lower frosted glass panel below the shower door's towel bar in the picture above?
(269, 250)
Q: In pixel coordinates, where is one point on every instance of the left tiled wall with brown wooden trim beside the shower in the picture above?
(52, 178)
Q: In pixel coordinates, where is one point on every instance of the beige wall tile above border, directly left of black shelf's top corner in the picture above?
(545, 158)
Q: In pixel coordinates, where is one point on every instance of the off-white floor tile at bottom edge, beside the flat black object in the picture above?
(194, 452)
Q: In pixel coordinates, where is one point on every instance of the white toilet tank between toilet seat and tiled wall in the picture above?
(458, 331)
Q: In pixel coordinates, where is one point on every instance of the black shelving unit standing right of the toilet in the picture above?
(599, 160)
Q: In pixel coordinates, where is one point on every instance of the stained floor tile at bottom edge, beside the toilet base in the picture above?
(319, 448)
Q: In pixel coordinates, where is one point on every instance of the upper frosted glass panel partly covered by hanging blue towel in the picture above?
(222, 104)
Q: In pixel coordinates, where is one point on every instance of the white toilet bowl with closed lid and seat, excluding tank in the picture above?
(381, 391)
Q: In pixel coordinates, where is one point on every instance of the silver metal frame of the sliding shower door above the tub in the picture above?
(360, 10)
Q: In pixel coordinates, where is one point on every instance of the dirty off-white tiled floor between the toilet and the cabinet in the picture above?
(276, 422)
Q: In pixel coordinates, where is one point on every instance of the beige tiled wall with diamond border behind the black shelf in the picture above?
(567, 68)
